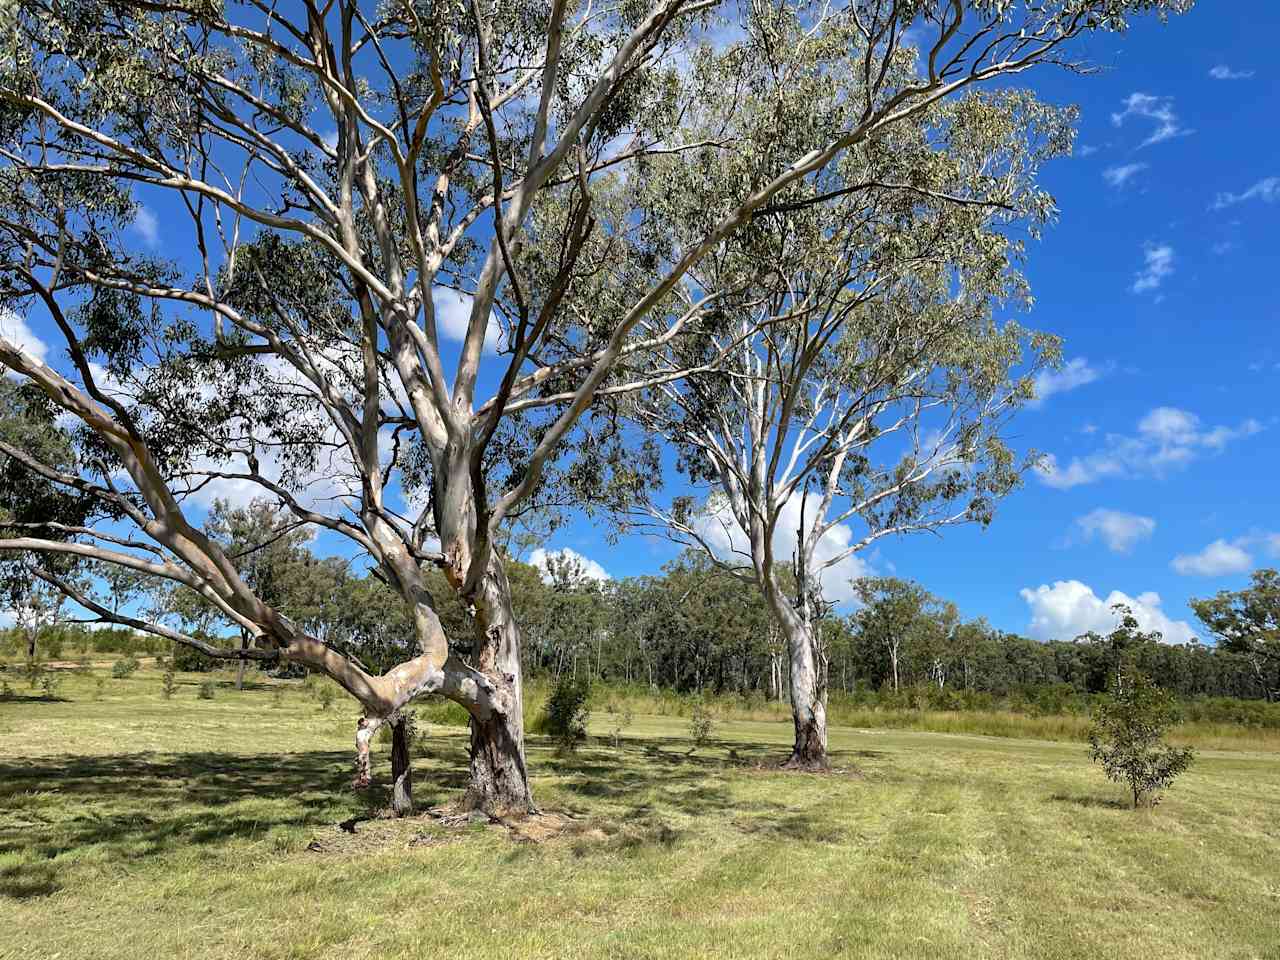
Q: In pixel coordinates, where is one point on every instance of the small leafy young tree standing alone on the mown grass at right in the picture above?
(1128, 734)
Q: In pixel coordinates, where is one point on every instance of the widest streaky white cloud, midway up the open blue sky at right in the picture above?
(1167, 438)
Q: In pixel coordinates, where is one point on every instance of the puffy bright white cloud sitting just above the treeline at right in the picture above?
(1069, 609)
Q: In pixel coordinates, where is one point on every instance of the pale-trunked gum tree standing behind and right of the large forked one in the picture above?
(861, 377)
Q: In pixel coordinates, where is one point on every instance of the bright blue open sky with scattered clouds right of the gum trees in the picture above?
(1162, 276)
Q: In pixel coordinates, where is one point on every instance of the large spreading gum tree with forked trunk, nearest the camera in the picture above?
(326, 173)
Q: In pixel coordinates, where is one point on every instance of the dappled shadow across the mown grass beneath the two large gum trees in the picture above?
(121, 808)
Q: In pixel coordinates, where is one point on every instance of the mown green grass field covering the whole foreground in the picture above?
(139, 828)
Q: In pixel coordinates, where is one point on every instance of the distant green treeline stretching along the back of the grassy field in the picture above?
(696, 629)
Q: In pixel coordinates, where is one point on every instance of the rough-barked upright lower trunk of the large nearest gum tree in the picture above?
(500, 775)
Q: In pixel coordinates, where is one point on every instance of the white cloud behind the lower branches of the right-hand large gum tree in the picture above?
(728, 540)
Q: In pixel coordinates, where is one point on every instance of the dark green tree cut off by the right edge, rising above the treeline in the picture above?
(1249, 623)
